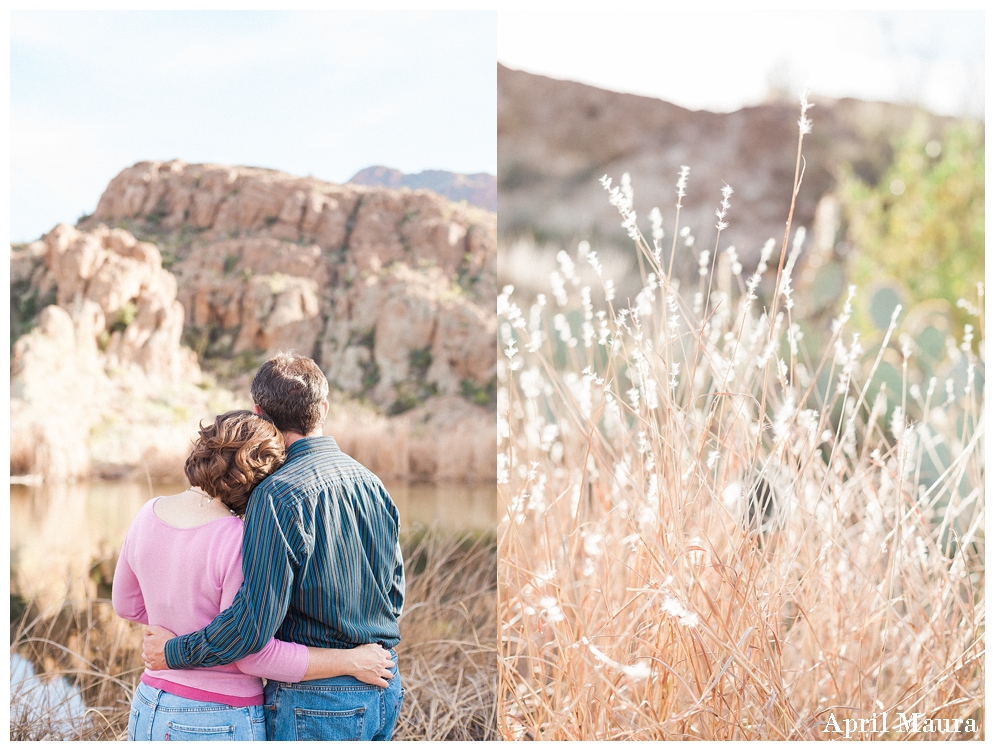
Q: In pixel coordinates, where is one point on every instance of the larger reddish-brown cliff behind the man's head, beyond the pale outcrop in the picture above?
(391, 291)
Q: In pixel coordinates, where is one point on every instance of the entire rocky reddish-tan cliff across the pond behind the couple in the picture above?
(390, 291)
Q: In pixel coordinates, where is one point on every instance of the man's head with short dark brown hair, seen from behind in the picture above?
(290, 389)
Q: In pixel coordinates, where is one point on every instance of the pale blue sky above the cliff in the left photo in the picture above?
(319, 93)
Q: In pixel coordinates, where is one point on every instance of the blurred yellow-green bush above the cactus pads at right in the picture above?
(922, 226)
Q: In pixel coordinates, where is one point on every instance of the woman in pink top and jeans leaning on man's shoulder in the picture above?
(181, 565)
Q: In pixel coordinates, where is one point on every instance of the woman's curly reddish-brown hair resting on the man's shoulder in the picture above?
(233, 455)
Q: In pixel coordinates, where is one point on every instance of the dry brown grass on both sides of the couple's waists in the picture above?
(447, 654)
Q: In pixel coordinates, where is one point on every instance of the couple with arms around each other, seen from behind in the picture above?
(279, 535)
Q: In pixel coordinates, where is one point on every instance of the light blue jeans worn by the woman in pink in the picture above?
(157, 715)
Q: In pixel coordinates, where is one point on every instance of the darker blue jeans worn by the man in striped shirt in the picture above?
(334, 709)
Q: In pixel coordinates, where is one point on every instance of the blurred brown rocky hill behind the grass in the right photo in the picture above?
(557, 138)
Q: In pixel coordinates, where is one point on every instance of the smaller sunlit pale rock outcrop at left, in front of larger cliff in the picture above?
(108, 343)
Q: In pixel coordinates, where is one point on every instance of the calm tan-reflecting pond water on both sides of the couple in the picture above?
(60, 532)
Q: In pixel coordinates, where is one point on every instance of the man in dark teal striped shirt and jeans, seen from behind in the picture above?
(322, 567)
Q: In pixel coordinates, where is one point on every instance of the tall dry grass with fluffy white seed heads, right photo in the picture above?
(713, 533)
